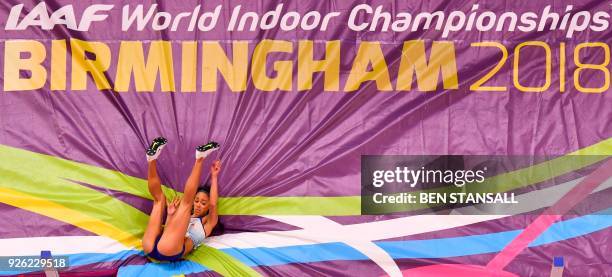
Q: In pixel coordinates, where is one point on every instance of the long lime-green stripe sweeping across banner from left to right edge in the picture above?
(299, 205)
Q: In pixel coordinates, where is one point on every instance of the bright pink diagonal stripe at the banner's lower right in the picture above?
(552, 214)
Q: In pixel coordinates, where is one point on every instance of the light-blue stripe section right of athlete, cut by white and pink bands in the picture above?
(432, 248)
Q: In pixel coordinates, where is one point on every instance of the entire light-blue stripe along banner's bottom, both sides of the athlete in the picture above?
(432, 248)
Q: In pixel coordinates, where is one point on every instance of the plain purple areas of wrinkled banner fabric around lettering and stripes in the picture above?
(309, 143)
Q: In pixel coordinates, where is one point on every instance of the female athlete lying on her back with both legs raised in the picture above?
(189, 219)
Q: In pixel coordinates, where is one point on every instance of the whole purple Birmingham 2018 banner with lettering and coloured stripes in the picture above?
(296, 93)
